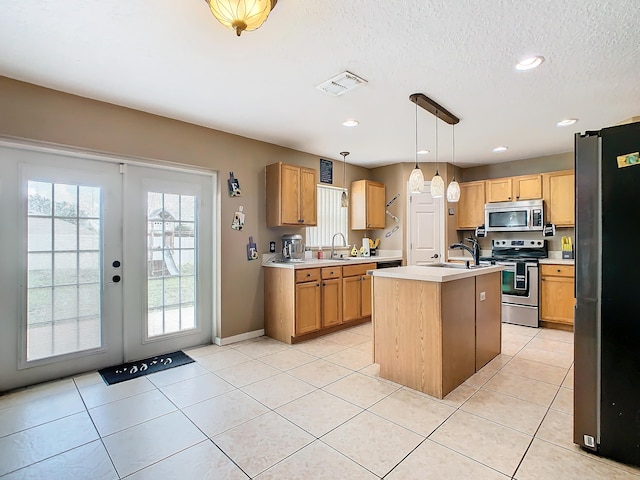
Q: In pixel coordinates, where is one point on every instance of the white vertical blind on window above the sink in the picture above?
(332, 218)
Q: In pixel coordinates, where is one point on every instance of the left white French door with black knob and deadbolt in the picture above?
(60, 236)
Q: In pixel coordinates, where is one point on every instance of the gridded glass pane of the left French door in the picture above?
(64, 278)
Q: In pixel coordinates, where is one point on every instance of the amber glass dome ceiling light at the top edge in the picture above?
(241, 15)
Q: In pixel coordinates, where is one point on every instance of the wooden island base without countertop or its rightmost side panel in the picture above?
(424, 335)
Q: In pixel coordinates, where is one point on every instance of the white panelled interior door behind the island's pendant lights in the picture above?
(424, 228)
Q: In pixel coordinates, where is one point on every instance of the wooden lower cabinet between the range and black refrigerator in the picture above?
(557, 292)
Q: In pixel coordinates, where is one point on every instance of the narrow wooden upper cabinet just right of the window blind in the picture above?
(367, 205)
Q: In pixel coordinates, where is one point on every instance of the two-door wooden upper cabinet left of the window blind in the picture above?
(291, 195)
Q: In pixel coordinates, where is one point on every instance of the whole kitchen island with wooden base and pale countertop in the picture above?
(435, 326)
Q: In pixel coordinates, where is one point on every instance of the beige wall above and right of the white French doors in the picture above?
(36, 113)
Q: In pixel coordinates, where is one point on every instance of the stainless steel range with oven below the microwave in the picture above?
(520, 299)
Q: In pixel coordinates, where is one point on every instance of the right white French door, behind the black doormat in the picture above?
(168, 266)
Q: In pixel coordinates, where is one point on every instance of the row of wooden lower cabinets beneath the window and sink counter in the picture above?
(303, 303)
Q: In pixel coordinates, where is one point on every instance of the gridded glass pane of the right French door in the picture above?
(171, 260)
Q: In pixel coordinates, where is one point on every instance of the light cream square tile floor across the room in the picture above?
(318, 410)
